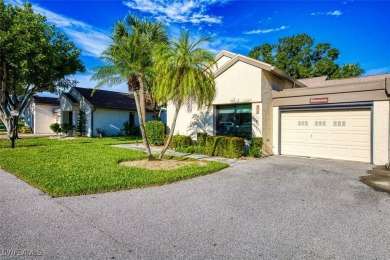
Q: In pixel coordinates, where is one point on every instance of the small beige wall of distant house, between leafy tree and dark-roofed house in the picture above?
(43, 118)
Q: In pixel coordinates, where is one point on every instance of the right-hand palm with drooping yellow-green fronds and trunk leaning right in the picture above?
(183, 76)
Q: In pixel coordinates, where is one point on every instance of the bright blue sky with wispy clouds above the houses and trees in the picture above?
(359, 29)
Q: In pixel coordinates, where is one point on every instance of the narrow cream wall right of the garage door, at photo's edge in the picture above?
(381, 132)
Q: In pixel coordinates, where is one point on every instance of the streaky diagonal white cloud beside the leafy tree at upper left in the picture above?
(90, 40)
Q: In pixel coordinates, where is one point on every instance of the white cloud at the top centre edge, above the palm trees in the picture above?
(178, 11)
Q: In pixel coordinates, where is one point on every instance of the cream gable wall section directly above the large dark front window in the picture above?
(241, 83)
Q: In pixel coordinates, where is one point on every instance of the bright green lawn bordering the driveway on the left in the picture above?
(86, 165)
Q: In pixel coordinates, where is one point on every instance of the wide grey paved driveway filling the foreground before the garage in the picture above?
(273, 208)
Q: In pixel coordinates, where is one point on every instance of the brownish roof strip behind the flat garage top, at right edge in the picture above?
(324, 82)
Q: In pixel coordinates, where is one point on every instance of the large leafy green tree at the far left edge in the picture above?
(34, 58)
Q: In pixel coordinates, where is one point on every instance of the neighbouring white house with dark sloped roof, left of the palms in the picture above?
(104, 109)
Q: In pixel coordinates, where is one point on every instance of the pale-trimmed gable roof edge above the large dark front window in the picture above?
(262, 65)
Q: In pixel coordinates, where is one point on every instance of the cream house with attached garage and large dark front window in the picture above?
(345, 119)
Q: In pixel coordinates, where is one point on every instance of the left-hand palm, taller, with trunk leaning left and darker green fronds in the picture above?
(130, 61)
